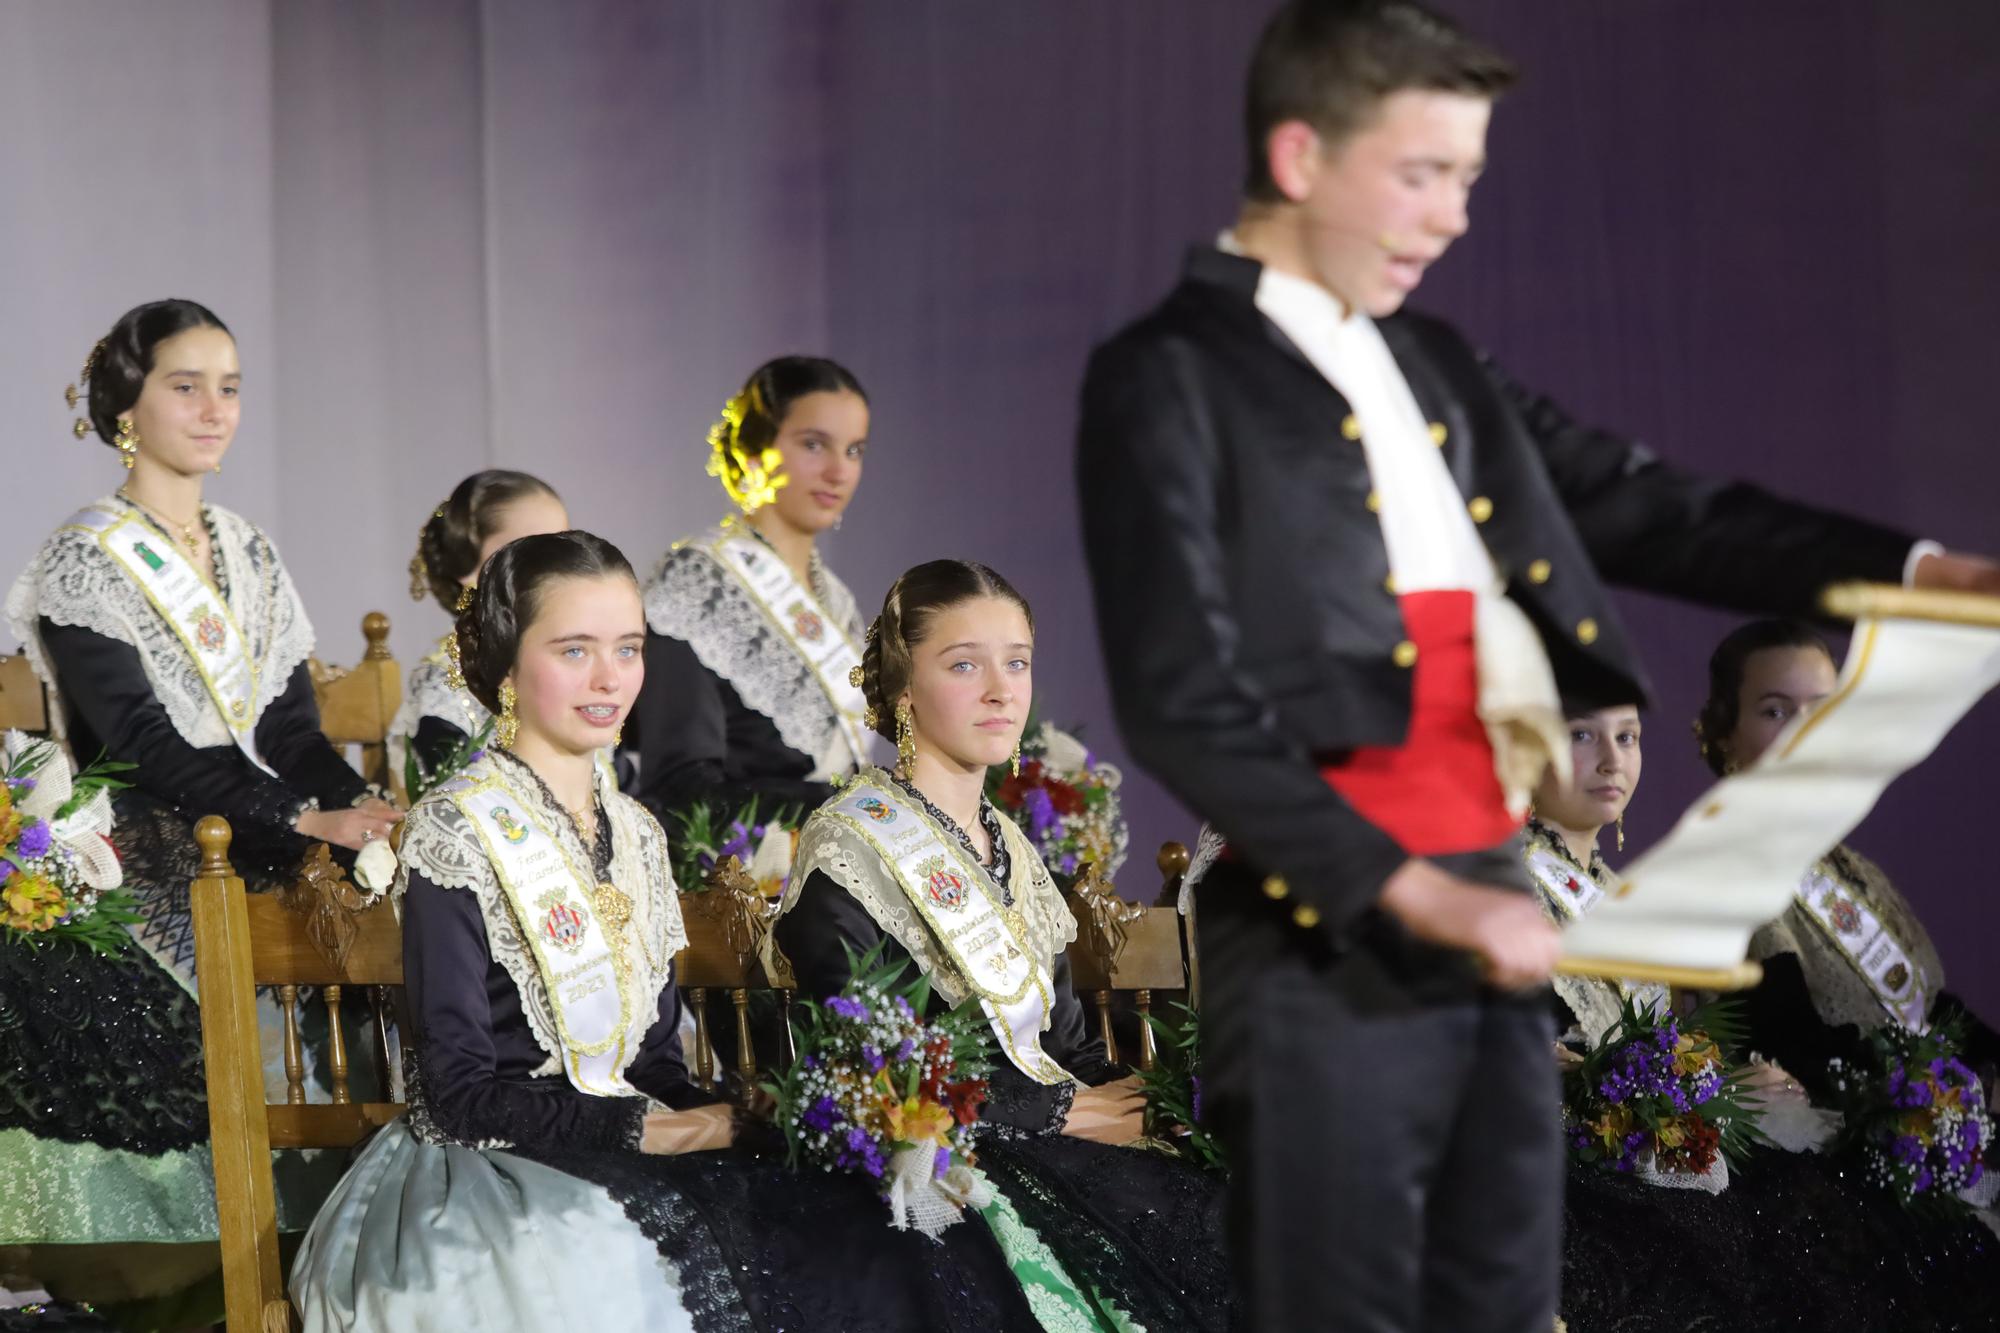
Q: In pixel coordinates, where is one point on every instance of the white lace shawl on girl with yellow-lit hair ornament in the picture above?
(695, 599)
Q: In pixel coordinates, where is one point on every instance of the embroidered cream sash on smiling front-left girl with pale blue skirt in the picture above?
(581, 962)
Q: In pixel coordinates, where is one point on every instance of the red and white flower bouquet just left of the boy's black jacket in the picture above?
(1067, 804)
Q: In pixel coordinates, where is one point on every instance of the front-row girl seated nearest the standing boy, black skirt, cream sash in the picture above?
(949, 678)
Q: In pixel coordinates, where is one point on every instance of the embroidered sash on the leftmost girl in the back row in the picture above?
(193, 609)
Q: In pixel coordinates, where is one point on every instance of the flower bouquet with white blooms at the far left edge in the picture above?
(59, 874)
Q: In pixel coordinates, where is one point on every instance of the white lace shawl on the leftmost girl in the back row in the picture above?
(75, 581)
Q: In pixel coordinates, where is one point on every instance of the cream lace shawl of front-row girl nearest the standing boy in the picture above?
(853, 864)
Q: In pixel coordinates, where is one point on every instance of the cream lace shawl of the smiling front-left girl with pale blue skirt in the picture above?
(443, 846)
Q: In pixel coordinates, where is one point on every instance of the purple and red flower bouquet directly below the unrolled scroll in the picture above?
(1659, 1098)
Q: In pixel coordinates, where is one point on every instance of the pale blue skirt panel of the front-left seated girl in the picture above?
(451, 1238)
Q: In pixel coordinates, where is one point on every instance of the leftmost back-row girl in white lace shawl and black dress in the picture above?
(171, 639)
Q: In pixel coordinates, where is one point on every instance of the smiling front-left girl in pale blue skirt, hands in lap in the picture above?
(541, 926)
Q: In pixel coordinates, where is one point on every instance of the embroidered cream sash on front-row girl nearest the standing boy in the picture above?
(983, 940)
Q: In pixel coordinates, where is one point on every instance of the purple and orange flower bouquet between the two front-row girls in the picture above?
(883, 1094)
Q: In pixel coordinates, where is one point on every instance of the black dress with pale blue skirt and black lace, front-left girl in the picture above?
(439, 1228)
